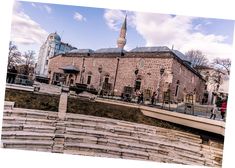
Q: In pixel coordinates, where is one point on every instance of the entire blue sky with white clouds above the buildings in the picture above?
(96, 28)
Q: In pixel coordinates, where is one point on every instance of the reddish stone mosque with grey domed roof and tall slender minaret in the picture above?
(148, 69)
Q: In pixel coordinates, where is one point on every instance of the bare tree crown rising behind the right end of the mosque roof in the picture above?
(196, 57)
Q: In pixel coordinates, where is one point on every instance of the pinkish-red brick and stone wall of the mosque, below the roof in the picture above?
(148, 64)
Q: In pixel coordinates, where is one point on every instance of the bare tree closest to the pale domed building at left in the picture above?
(28, 61)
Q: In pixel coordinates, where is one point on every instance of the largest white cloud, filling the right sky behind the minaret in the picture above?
(168, 30)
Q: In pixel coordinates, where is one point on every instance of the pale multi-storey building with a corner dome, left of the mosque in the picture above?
(52, 46)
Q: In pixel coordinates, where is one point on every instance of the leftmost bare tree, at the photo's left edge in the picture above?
(14, 56)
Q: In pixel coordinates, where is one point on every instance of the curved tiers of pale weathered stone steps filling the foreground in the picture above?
(103, 137)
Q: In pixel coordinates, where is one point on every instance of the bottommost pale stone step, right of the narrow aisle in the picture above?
(111, 151)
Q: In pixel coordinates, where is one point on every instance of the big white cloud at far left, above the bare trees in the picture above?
(24, 29)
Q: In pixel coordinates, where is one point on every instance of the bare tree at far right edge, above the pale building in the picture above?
(223, 64)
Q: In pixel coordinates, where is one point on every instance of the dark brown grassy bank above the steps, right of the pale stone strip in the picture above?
(80, 106)
